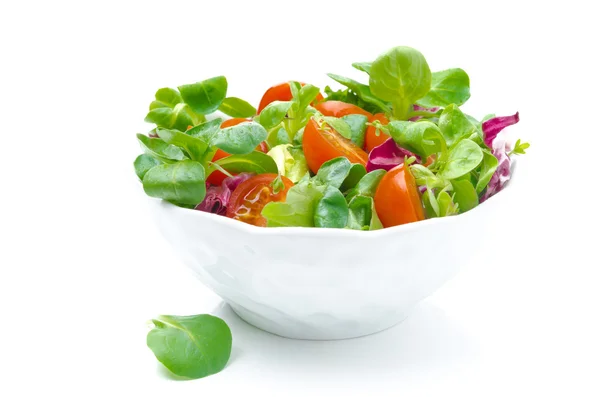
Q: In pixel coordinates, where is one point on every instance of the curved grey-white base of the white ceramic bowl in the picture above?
(295, 330)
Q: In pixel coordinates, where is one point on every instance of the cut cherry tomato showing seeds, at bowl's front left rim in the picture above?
(250, 197)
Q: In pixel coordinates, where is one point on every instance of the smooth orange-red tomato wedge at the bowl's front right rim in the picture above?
(397, 199)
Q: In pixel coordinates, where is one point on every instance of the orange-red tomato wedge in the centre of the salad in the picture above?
(323, 144)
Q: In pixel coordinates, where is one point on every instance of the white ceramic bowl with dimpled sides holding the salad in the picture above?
(311, 283)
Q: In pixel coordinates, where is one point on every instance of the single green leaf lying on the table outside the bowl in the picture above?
(191, 346)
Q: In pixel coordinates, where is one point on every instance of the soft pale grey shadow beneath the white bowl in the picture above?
(426, 339)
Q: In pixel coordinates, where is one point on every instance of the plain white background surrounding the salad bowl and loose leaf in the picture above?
(83, 267)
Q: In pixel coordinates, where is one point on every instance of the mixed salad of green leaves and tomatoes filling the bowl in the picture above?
(370, 156)
